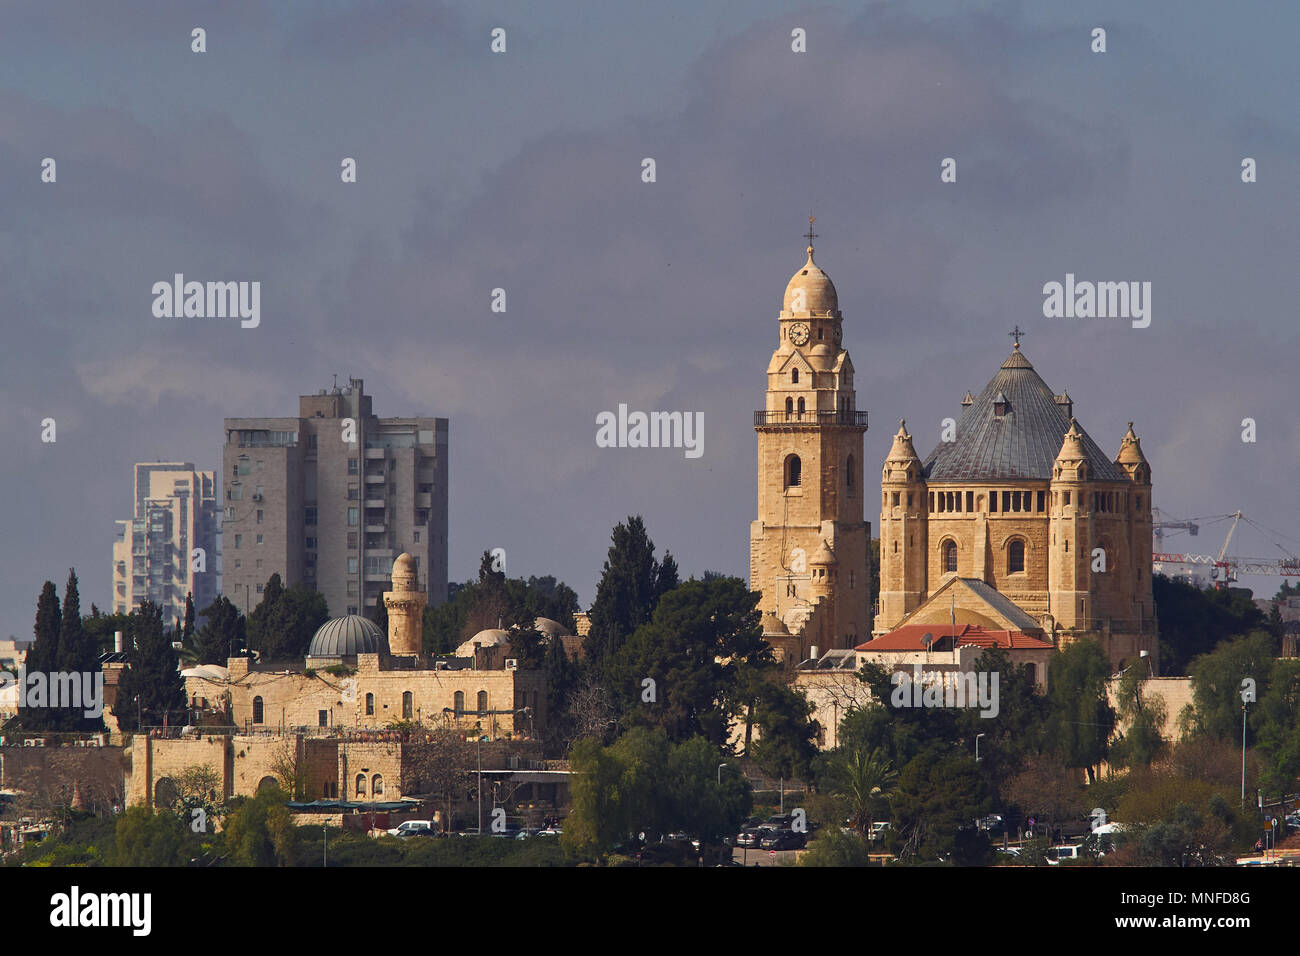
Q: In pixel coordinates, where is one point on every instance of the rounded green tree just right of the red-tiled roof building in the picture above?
(1081, 720)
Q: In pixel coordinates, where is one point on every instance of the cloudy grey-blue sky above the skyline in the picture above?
(523, 171)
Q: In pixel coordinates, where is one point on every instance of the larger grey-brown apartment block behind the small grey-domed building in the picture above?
(330, 499)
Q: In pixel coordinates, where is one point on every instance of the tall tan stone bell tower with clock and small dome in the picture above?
(811, 546)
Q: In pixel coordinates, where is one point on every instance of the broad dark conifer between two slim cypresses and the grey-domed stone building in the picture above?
(151, 690)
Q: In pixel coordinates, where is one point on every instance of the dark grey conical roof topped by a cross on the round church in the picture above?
(1024, 443)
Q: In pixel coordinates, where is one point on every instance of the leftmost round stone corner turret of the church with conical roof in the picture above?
(904, 511)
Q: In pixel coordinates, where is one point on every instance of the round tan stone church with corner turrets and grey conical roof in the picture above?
(1020, 522)
